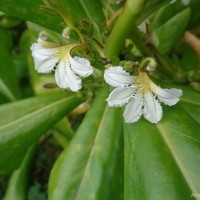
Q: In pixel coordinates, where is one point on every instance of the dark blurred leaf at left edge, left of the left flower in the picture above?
(9, 87)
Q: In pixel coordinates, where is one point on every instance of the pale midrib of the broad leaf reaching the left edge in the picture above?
(23, 118)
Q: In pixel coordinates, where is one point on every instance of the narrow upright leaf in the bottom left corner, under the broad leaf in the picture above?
(18, 183)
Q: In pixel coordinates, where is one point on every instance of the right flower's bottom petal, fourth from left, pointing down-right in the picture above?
(152, 108)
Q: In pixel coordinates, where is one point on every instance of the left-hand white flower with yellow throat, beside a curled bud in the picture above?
(48, 56)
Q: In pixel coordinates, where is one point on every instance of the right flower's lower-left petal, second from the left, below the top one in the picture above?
(120, 96)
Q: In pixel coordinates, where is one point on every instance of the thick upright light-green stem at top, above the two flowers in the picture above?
(123, 27)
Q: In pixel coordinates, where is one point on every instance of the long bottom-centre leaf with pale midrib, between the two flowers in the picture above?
(85, 169)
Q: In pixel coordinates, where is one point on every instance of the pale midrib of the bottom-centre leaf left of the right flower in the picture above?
(91, 154)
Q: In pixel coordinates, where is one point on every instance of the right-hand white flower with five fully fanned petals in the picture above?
(141, 95)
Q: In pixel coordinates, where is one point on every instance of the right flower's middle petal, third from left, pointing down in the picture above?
(133, 110)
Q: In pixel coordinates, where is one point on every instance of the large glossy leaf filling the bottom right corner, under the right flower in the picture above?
(162, 161)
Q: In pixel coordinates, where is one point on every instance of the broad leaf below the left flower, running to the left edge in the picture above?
(24, 121)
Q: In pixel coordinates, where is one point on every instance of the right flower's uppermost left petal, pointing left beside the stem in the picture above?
(117, 77)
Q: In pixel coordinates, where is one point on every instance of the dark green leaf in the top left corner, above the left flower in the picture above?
(30, 11)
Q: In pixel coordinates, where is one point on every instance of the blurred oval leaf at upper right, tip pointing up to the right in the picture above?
(167, 35)
